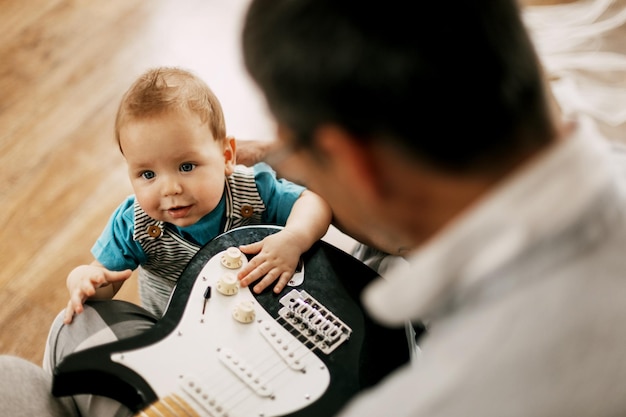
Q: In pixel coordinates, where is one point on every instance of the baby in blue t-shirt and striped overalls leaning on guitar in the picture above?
(187, 190)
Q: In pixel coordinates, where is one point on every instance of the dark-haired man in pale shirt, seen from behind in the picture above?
(432, 135)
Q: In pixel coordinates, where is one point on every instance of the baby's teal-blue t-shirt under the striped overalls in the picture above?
(117, 250)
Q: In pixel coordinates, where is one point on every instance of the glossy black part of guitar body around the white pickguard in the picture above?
(331, 276)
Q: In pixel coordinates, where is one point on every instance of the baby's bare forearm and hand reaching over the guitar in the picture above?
(278, 254)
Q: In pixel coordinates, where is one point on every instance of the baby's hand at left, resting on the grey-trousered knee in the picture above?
(91, 281)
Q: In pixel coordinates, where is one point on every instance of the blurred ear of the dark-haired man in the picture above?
(353, 160)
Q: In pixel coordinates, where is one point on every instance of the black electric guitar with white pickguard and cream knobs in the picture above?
(225, 351)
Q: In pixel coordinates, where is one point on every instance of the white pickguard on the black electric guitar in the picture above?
(223, 367)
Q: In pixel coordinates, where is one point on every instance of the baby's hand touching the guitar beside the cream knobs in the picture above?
(276, 258)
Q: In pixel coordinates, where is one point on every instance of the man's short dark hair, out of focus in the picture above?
(455, 83)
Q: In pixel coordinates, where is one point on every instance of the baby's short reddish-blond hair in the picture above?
(164, 89)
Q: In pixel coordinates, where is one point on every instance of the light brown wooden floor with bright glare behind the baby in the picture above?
(64, 65)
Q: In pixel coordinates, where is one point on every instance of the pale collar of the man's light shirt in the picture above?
(539, 200)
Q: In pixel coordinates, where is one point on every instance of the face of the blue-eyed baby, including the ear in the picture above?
(176, 168)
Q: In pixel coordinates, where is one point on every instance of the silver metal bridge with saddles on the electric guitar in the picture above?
(313, 321)
